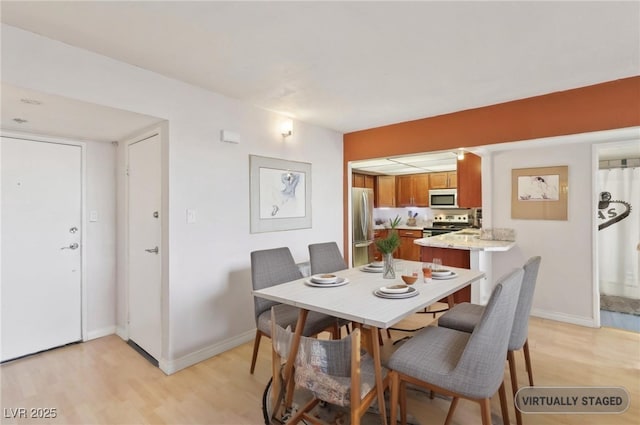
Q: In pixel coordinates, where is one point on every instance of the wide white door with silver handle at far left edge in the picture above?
(41, 255)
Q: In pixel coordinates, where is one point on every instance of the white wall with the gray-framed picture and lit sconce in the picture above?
(210, 308)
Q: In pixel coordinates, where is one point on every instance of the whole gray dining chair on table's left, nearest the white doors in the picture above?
(271, 267)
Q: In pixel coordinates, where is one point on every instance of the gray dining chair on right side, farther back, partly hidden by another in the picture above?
(465, 316)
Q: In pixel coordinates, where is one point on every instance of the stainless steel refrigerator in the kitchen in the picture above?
(362, 213)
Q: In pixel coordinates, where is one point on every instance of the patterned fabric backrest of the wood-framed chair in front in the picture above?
(327, 368)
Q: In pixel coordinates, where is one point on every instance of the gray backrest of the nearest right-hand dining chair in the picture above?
(480, 370)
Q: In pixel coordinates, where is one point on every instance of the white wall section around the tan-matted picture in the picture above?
(564, 288)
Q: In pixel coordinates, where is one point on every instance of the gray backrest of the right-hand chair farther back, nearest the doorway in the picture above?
(520, 329)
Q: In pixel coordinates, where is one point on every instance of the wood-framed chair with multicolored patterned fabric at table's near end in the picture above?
(333, 371)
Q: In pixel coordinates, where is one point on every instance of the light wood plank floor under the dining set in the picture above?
(104, 381)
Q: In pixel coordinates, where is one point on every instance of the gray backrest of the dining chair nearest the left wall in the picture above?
(271, 267)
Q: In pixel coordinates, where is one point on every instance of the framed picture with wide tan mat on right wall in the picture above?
(539, 193)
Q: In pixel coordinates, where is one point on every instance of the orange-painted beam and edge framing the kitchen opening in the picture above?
(606, 106)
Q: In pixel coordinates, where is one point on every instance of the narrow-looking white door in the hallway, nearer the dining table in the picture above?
(145, 318)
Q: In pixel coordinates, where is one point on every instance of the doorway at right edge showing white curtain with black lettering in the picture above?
(618, 189)
